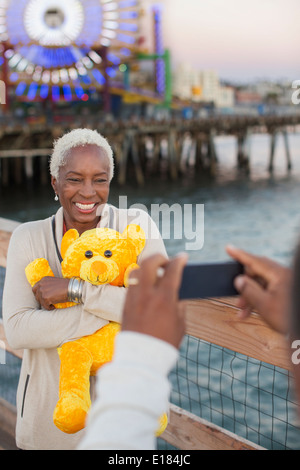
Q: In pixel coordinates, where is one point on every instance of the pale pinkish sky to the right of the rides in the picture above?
(240, 39)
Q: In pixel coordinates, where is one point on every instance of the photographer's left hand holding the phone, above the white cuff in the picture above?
(152, 306)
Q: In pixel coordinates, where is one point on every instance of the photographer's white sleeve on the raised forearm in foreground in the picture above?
(132, 394)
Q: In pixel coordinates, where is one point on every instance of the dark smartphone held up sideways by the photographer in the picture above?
(200, 281)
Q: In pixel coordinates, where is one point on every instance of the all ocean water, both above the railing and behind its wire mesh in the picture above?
(258, 212)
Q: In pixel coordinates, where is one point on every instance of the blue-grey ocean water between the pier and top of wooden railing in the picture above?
(259, 212)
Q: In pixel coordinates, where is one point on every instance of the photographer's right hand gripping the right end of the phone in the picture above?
(265, 288)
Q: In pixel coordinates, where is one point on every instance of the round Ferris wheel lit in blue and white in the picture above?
(53, 47)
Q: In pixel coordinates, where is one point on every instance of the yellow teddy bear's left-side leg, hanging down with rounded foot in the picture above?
(74, 388)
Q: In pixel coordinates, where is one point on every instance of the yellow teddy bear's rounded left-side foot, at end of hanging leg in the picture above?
(70, 412)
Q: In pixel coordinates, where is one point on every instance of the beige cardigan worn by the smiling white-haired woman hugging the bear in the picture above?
(40, 332)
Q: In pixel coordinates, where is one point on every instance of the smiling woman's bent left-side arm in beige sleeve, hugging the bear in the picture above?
(27, 326)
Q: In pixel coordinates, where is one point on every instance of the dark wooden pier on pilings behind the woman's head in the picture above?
(129, 142)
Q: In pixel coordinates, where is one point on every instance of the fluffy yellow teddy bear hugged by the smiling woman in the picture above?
(99, 256)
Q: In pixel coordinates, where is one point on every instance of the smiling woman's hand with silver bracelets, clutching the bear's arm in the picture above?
(50, 291)
